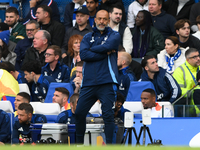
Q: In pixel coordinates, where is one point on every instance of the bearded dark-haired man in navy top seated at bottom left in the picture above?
(21, 132)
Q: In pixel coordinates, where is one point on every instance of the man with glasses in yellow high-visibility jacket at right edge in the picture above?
(185, 74)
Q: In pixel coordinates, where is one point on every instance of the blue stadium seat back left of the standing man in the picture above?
(54, 85)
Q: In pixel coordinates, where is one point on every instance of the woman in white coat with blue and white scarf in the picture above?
(172, 56)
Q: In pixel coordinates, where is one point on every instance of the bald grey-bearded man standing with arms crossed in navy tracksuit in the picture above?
(99, 52)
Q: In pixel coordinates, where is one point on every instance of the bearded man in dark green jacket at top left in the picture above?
(17, 30)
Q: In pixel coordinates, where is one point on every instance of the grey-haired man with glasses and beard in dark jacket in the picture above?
(31, 28)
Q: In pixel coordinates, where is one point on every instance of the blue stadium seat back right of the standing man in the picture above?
(136, 88)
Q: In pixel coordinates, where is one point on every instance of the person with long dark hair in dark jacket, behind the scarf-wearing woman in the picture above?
(147, 40)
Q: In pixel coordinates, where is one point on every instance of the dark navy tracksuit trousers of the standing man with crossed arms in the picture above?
(106, 93)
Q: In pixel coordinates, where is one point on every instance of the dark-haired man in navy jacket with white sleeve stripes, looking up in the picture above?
(167, 89)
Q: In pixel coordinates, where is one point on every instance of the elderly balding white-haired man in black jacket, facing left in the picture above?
(37, 50)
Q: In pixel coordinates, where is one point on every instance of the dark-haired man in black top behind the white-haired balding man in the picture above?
(55, 28)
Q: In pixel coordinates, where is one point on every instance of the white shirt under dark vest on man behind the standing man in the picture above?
(127, 39)
